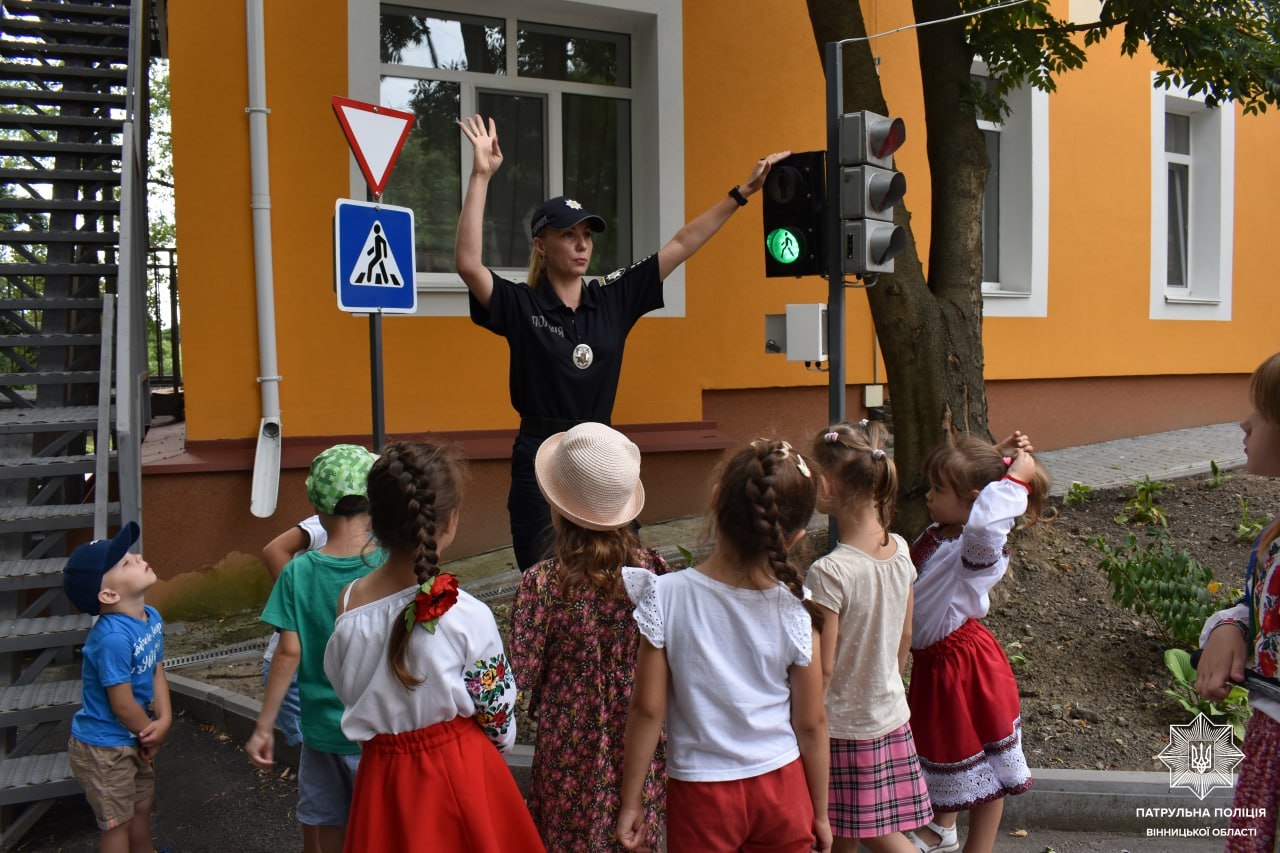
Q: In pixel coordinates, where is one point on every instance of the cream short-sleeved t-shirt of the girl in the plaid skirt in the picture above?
(866, 697)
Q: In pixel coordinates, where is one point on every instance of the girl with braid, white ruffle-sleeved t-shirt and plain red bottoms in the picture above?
(728, 662)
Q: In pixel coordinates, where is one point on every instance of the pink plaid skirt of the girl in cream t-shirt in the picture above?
(877, 787)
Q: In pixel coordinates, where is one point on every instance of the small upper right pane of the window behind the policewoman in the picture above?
(574, 56)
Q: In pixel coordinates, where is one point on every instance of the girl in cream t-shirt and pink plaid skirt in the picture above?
(865, 590)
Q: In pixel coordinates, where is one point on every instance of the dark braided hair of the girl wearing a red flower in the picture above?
(412, 489)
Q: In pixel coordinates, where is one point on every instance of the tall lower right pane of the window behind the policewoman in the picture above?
(597, 159)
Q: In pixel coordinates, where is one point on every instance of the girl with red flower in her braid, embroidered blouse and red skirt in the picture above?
(424, 678)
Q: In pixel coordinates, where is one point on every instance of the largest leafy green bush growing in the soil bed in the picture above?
(1151, 578)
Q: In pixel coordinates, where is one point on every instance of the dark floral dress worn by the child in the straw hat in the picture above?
(575, 656)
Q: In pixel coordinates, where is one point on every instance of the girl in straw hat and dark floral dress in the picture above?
(574, 642)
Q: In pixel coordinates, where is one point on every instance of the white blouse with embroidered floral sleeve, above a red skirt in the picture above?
(464, 663)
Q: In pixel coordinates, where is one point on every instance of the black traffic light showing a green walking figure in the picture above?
(796, 202)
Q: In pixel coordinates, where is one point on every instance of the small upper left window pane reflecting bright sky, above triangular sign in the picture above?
(442, 40)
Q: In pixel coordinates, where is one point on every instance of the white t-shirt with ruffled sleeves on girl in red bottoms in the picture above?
(729, 650)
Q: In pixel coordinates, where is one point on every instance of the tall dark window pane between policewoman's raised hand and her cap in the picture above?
(520, 185)
